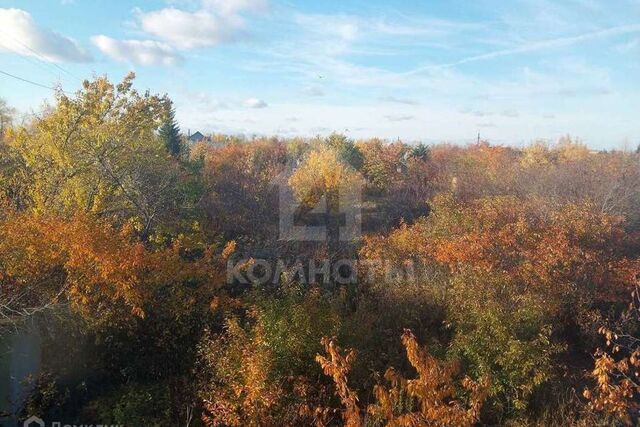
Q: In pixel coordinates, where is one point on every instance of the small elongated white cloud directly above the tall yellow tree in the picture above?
(143, 52)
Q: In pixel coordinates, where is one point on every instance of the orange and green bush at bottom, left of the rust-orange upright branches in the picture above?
(259, 370)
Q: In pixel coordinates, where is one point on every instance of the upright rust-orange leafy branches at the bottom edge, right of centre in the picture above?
(430, 399)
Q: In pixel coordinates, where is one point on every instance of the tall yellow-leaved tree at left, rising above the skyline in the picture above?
(98, 152)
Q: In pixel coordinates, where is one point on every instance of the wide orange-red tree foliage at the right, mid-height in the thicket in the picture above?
(533, 241)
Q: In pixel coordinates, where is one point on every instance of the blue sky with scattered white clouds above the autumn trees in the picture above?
(417, 70)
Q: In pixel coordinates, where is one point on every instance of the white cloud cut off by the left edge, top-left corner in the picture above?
(22, 35)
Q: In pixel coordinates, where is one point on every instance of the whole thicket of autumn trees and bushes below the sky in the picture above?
(495, 285)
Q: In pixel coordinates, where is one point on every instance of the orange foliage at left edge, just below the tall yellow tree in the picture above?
(88, 263)
